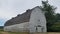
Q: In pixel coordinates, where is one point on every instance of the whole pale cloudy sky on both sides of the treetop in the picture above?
(11, 8)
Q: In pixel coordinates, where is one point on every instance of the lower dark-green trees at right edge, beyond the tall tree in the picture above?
(56, 26)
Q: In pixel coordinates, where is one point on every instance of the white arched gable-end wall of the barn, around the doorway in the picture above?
(37, 15)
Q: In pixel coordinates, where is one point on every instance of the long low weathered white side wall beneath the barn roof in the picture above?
(23, 27)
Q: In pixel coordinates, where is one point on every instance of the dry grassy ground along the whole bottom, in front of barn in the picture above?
(3, 32)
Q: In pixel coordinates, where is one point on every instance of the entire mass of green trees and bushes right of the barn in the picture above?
(53, 19)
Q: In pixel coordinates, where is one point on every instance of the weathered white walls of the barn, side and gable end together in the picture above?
(37, 18)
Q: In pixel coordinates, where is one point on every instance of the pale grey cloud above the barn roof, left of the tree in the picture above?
(10, 8)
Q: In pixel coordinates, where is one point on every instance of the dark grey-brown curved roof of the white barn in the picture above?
(20, 18)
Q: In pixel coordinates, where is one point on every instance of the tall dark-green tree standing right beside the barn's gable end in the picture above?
(49, 13)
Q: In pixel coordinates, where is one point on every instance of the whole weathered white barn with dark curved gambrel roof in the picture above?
(33, 20)
